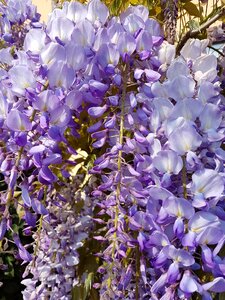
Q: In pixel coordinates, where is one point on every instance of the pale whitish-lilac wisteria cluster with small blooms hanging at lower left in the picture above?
(55, 250)
